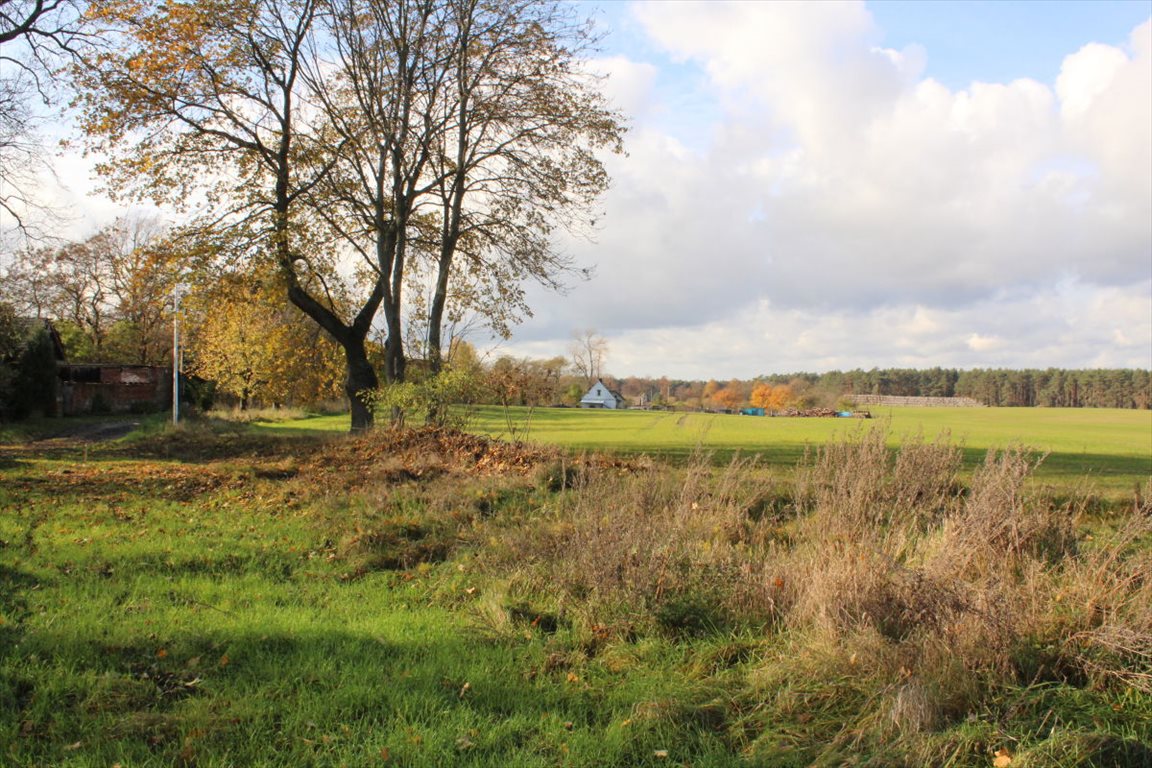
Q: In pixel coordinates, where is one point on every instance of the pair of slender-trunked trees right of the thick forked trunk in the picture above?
(468, 133)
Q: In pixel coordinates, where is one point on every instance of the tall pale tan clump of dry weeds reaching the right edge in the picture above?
(933, 599)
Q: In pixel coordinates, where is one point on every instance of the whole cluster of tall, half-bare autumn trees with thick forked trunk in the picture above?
(391, 132)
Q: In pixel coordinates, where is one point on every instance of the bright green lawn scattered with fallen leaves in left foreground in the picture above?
(156, 614)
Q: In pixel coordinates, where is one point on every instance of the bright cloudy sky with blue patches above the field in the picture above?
(823, 186)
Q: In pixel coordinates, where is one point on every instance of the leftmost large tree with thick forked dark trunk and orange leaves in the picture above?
(204, 101)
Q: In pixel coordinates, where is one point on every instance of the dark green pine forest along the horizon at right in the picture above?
(999, 387)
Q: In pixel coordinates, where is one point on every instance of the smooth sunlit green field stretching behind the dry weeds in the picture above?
(1110, 451)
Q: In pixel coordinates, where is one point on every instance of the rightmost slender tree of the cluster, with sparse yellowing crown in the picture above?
(519, 155)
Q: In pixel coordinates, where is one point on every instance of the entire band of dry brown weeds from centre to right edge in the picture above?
(903, 602)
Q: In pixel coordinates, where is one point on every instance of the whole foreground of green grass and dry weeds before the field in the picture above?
(198, 597)
